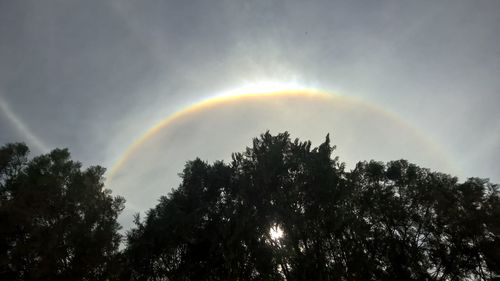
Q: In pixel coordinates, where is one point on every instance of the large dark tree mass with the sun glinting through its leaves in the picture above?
(376, 222)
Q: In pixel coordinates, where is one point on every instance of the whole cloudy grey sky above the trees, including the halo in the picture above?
(405, 79)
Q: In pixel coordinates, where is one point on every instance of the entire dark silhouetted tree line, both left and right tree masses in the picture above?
(280, 210)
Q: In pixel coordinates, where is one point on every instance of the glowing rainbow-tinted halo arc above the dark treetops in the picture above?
(259, 92)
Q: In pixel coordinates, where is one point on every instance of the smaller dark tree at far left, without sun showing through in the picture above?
(57, 222)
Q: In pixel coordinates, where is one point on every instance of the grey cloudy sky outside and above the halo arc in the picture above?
(95, 75)
